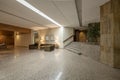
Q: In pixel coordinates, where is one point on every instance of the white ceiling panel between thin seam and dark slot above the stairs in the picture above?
(68, 11)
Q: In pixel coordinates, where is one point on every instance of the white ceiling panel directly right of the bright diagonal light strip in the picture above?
(47, 7)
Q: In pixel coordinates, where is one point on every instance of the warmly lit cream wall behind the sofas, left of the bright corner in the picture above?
(57, 33)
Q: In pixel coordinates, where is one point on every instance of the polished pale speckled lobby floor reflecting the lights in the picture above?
(61, 64)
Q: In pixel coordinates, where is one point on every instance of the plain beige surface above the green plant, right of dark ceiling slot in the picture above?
(91, 10)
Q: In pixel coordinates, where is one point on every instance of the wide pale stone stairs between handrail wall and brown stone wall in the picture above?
(89, 50)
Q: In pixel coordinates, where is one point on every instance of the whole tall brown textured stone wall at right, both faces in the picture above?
(110, 33)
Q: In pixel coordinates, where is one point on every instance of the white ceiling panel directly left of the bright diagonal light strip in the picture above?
(12, 6)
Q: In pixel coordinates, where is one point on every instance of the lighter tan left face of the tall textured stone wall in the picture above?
(106, 34)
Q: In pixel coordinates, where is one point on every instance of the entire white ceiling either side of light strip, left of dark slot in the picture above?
(62, 11)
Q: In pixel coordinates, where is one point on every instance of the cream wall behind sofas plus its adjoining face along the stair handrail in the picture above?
(60, 34)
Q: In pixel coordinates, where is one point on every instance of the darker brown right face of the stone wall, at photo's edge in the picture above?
(116, 11)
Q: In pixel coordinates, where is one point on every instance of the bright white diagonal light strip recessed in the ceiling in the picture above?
(28, 5)
